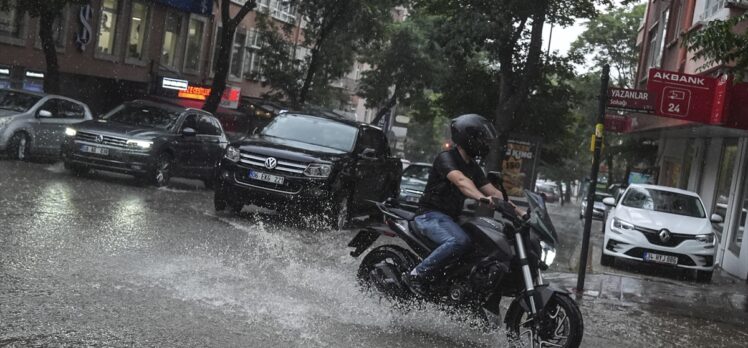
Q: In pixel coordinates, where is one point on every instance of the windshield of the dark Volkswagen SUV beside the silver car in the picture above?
(140, 115)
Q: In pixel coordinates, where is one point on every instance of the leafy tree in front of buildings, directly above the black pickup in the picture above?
(334, 34)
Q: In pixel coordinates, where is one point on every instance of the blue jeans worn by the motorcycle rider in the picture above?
(452, 241)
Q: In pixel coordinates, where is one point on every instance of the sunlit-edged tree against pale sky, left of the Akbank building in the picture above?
(610, 38)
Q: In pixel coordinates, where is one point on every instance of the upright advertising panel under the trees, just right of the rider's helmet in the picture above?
(518, 166)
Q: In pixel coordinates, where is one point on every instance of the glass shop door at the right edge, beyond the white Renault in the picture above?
(735, 260)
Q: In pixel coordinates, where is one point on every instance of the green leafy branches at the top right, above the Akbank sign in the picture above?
(720, 42)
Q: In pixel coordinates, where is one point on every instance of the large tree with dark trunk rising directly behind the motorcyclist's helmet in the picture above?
(509, 33)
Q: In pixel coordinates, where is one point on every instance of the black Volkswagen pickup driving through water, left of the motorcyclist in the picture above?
(309, 162)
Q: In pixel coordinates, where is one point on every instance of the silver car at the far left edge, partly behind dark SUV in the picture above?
(34, 123)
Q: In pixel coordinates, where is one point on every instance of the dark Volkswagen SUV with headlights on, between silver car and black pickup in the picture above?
(152, 141)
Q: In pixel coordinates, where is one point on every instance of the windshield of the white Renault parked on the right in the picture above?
(664, 201)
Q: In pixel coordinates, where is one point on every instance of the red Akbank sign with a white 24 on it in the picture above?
(682, 96)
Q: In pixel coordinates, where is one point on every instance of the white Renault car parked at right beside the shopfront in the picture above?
(663, 225)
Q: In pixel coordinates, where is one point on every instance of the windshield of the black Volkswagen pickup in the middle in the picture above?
(312, 130)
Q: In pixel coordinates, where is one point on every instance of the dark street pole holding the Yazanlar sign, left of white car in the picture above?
(597, 143)
